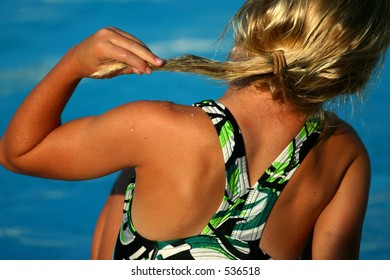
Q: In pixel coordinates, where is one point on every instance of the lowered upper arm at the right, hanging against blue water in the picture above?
(338, 229)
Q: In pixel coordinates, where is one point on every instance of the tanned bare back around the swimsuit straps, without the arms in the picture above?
(175, 205)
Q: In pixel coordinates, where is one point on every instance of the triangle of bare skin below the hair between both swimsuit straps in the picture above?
(267, 125)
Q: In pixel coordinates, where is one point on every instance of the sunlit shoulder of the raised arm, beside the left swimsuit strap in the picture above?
(166, 123)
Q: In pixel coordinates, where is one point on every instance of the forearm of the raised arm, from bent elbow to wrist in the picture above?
(40, 113)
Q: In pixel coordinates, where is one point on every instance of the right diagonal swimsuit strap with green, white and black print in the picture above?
(263, 196)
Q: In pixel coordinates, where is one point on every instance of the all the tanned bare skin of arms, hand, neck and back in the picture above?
(328, 193)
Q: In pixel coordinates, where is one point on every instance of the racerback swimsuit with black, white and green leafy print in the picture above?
(235, 230)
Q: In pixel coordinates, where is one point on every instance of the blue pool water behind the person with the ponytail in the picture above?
(48, 219)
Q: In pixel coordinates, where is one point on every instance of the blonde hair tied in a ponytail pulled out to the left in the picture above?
(330, 48)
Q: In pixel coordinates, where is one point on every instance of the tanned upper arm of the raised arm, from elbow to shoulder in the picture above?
(95, 146)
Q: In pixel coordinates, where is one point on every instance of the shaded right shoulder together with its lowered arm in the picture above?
(346, 166)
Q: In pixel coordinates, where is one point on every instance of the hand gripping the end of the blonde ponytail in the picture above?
(111, 52)
